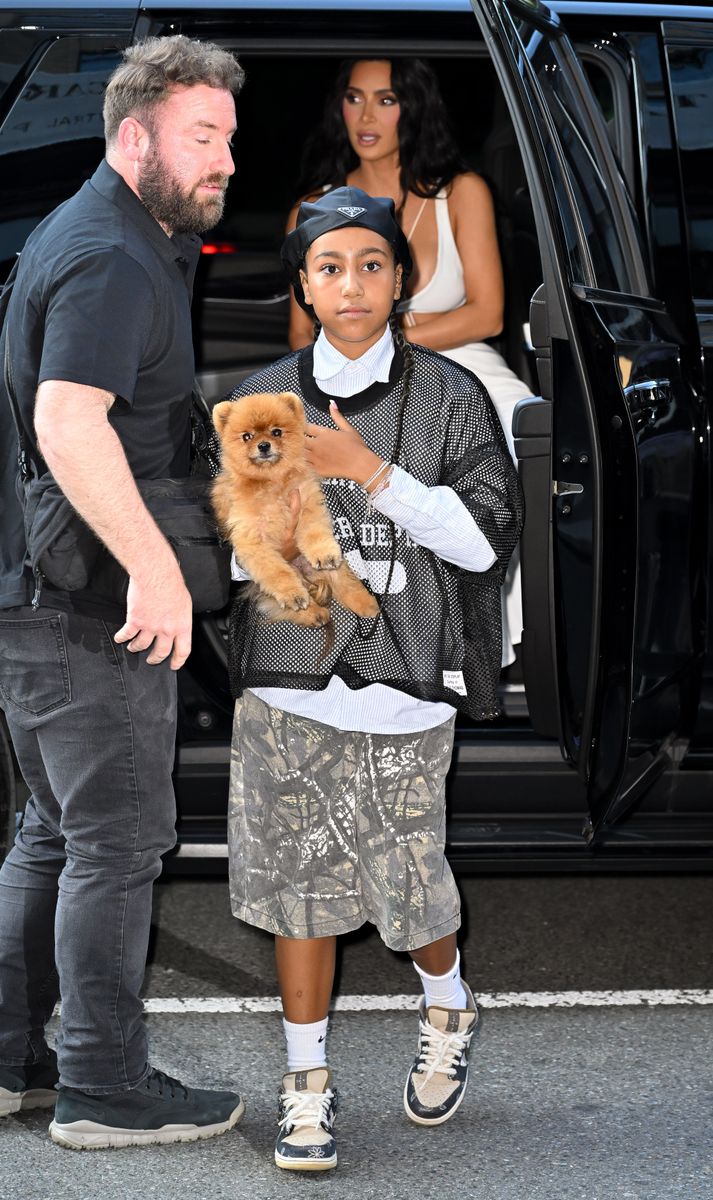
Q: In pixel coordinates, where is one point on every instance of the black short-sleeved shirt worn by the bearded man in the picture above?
(103, 298)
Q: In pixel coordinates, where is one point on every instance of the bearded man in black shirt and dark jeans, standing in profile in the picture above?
(99, 337)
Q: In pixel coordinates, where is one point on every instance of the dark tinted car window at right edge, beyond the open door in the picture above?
(692, 86)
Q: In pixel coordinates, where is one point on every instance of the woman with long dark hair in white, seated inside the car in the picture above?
(386, 130)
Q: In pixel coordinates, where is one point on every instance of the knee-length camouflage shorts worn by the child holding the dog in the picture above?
(329, 830)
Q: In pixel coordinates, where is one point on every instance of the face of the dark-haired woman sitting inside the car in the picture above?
(372, 112)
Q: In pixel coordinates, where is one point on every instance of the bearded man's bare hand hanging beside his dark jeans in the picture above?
(159, 619)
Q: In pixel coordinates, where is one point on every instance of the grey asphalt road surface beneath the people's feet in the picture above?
(583, 1103)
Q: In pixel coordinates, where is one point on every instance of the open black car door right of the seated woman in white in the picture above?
(609, 453)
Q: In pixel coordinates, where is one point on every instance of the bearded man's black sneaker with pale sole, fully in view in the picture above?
(159, 1111)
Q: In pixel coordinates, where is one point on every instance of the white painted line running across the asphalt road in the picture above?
(642, 999)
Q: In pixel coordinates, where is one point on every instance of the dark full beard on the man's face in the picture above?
(171, 206)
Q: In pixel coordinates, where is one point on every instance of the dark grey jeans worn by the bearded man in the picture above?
(94, 730)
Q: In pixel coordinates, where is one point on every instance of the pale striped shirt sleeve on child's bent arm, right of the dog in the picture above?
(436, 519)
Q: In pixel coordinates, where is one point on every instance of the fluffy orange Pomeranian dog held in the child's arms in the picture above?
(263, 465)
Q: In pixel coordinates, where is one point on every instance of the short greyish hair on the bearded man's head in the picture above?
(153, 68)
